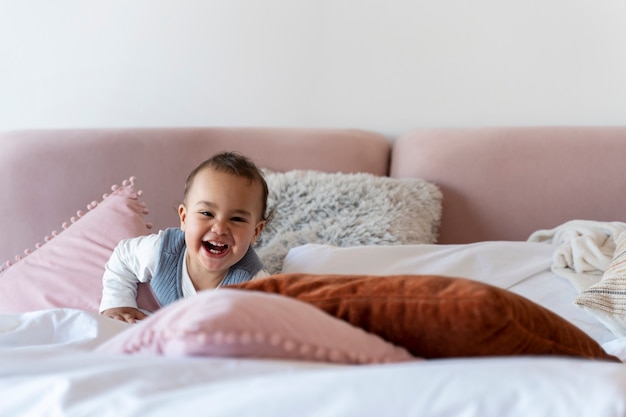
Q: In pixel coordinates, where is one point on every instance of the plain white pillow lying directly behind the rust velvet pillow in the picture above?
(521, 267)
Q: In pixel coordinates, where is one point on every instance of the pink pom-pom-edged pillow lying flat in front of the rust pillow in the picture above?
(250, 324)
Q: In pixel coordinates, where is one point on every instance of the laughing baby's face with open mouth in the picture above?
(221, 217)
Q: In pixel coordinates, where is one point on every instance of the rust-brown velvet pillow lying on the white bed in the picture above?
(437, 316)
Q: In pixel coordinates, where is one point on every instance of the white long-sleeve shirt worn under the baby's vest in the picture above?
(133, 261)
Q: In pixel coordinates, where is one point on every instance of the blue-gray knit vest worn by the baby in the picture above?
(166, 283)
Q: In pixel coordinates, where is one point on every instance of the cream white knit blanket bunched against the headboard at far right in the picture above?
(584, 250)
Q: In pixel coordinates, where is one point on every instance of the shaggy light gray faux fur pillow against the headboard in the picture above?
(346, 210)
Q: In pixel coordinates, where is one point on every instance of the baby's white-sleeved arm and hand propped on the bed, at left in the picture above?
(132, 261)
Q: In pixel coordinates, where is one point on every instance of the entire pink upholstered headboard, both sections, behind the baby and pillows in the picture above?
(498, 183)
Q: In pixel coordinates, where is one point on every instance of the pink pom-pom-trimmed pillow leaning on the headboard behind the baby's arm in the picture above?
(66, 271)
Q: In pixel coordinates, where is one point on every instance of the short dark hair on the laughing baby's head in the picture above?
(232, 163)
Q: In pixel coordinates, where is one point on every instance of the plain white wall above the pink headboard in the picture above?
(383, 65)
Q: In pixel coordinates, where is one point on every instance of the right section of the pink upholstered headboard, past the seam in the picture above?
(505, 183)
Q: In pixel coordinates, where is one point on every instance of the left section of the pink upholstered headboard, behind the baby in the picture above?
(48, 175)
